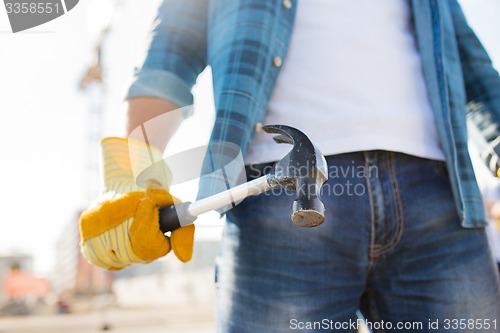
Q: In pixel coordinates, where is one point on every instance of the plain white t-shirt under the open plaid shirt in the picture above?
(352, 81)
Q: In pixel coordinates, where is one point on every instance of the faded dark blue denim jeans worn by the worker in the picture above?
(391, 246)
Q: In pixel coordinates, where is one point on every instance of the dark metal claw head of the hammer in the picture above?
(304, 170)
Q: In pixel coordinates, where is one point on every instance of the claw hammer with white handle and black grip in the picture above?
(303, 170)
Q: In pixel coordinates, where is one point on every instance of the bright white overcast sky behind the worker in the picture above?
(43, 115)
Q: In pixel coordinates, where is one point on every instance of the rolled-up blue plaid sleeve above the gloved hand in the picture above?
(177, 53)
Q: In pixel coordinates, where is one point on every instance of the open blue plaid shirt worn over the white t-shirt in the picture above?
(245, 42)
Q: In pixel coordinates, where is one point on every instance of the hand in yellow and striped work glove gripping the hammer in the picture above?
(122, 226)
